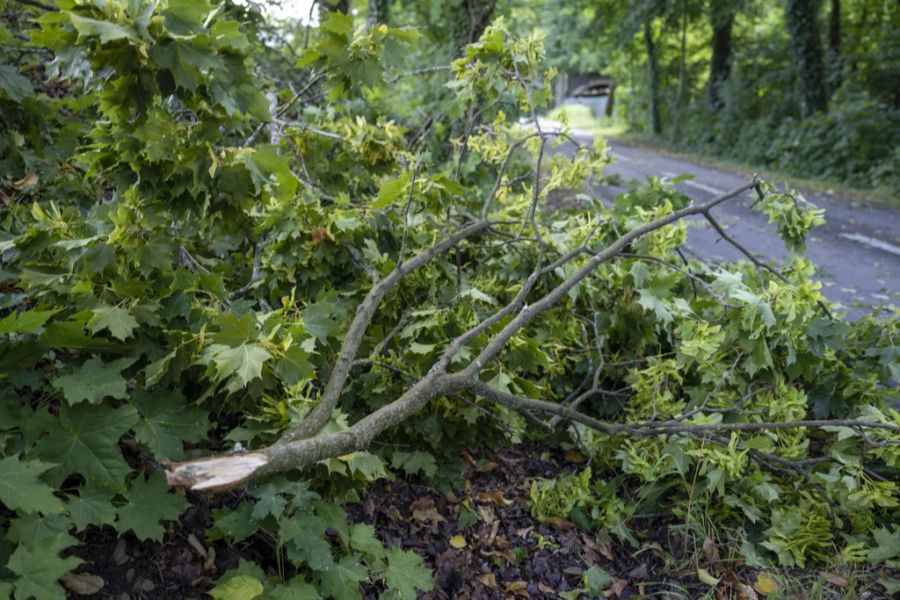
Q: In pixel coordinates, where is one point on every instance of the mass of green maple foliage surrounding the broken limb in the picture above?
(171, 287)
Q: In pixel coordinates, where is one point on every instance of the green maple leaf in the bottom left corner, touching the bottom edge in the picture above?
(39, 569)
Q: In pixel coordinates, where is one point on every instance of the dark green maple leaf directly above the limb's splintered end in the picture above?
(167, 420)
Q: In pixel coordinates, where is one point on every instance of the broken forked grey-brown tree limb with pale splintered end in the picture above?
(301, 446)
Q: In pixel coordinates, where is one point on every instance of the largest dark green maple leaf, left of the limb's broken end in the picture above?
(86, 441)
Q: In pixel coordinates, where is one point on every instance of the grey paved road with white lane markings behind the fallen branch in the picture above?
(857, 251)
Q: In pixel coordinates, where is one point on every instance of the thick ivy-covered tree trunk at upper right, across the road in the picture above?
(806, 48)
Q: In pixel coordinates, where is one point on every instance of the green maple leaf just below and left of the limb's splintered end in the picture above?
(149, 502)
